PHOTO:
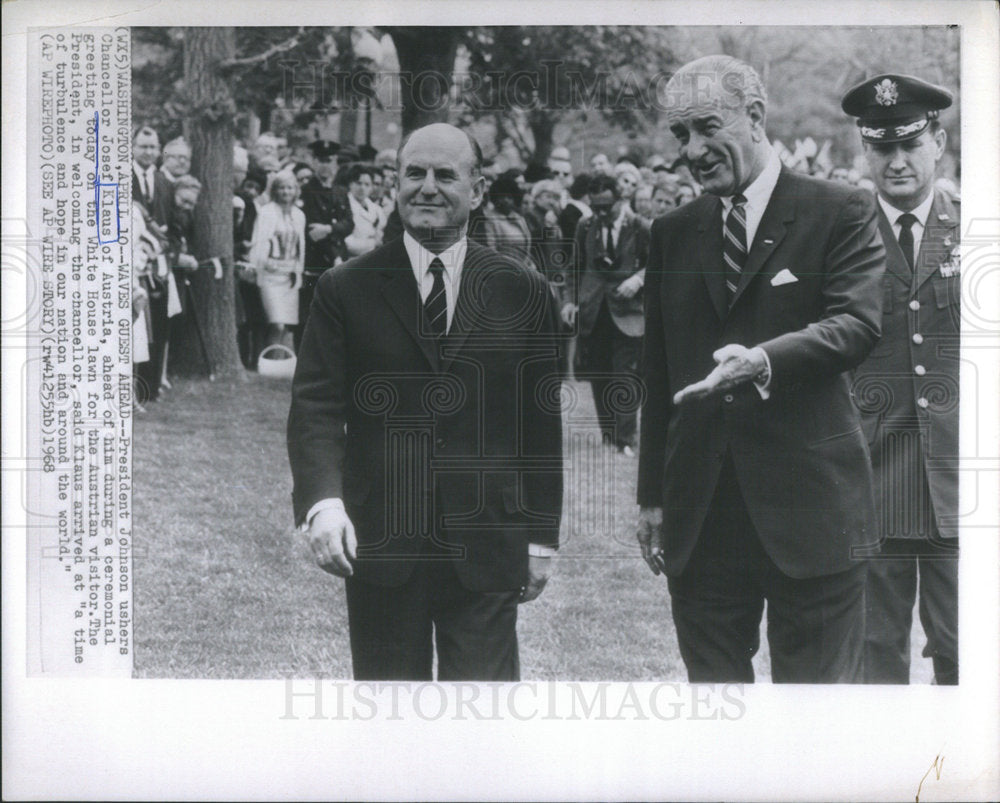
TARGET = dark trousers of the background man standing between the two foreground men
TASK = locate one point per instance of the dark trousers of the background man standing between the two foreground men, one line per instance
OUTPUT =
(611, 363)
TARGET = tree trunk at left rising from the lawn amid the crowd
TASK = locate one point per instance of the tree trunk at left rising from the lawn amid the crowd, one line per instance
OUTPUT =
(211, 126)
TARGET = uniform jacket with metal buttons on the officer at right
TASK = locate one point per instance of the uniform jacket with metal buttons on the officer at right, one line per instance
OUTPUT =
(907, 391)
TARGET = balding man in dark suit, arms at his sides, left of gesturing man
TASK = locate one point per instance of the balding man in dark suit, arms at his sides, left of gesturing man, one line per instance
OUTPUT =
(425, 432)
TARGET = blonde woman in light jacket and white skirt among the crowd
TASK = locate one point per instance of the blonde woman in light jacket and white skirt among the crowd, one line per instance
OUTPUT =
(277, 256)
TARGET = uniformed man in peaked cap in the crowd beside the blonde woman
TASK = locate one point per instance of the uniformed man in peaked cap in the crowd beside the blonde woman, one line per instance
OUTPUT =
(328, 222)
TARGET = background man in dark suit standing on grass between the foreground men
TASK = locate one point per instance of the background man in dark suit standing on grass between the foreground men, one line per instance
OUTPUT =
(603, 298)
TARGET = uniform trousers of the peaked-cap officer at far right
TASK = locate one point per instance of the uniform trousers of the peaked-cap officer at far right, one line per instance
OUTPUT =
(890, 594)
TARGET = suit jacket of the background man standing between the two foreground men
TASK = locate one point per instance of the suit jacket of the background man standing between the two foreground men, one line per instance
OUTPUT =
(592, 282)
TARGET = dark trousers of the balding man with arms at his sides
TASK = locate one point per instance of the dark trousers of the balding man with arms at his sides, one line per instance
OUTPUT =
(394, 629)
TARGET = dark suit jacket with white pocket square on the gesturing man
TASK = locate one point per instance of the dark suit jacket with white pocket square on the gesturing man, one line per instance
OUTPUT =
(800, 456)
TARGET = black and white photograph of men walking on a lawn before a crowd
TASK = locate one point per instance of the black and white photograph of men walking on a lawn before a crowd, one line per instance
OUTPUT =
(773, 381)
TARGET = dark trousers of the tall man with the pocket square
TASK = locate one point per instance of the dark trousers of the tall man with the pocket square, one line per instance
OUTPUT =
(815, 626)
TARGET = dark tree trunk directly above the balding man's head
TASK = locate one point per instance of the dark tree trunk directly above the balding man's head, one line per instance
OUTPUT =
(426, 62)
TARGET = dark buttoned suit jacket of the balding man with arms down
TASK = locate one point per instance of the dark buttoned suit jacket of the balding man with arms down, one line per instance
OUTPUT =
(458, 438)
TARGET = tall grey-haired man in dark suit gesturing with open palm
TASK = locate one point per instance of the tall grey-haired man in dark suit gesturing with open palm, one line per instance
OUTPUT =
(754, 476)
